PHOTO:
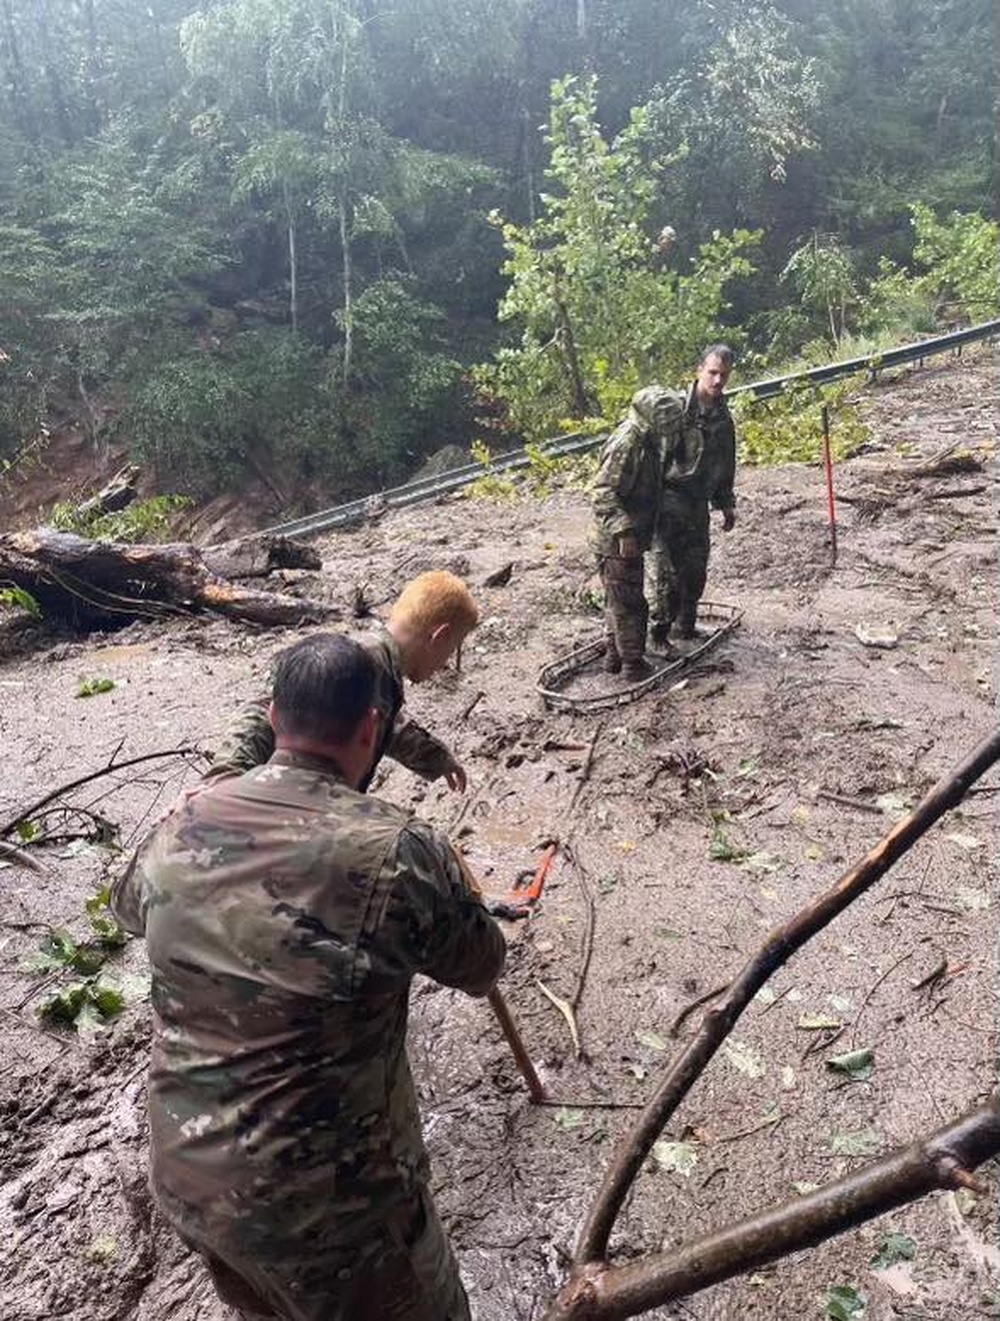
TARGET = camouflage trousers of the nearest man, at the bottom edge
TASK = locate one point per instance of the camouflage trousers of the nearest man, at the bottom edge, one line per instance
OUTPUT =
(406, 1273)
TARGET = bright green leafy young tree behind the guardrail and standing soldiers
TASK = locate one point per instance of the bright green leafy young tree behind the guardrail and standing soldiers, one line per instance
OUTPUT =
(596, 318)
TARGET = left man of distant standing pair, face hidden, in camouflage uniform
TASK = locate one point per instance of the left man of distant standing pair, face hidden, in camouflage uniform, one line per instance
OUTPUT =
(628, 495)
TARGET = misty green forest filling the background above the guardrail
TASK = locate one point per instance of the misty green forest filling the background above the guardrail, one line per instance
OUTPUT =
(326, 238)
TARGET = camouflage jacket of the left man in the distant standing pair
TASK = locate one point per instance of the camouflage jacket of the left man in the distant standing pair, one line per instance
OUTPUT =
(631, 474)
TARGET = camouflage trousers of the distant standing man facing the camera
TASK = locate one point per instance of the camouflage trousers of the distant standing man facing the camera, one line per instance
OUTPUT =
(677, 566)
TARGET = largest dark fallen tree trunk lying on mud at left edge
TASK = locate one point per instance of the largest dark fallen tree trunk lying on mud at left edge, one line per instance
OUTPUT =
(96, 583)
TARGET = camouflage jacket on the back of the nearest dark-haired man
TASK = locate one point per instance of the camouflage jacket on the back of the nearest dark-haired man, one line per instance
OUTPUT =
(285, 917)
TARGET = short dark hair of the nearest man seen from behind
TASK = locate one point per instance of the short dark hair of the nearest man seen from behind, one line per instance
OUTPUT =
(323, 688)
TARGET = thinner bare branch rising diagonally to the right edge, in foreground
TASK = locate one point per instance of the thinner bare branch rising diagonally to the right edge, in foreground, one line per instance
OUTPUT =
(773, 954)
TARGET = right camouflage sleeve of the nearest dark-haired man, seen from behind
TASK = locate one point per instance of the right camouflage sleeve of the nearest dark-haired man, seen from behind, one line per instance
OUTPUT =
(441, 928)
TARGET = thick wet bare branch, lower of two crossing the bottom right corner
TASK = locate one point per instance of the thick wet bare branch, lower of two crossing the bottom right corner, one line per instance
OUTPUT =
(599, 1293)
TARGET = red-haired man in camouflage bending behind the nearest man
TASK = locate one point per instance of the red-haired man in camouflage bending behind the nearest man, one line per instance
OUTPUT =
(429, 623)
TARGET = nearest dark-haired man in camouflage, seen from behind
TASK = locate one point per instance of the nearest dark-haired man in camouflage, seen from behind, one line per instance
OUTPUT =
(286, 915)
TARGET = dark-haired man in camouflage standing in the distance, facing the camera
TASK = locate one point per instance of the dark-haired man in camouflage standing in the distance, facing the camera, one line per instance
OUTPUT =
(699, 474)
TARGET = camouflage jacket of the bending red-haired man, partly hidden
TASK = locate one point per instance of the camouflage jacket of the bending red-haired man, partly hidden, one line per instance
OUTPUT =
(250, 740)
